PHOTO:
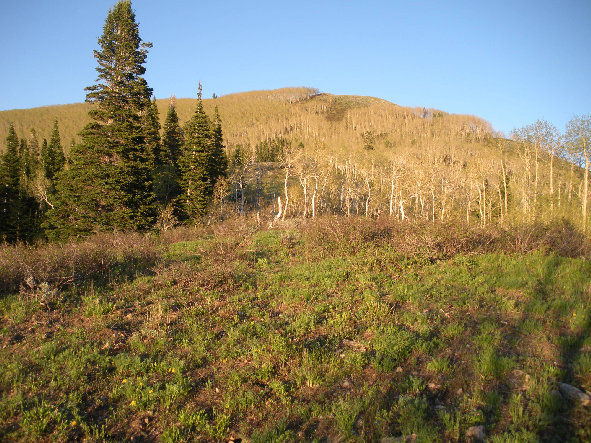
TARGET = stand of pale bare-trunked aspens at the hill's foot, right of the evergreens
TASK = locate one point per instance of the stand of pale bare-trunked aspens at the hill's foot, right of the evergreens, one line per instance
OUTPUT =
(538, 174)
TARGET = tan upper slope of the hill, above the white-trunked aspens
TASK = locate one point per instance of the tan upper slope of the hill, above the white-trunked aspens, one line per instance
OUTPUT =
(299, 114)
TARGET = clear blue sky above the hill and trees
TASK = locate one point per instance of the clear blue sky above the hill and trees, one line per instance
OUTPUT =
(509, 61)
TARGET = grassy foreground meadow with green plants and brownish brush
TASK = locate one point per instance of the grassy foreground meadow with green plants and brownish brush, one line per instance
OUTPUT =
(338, 329)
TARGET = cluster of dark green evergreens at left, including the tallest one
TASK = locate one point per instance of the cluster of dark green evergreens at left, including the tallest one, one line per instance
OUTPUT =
(123, 175)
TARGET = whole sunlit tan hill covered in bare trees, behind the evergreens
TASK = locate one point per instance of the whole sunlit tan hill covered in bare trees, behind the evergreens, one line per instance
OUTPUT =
(363, 155)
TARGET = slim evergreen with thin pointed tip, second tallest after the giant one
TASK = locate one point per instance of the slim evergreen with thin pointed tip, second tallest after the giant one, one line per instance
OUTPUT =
(195, 162)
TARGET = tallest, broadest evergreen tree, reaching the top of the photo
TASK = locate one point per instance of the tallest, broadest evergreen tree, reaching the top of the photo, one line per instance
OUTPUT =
(109, 184)
